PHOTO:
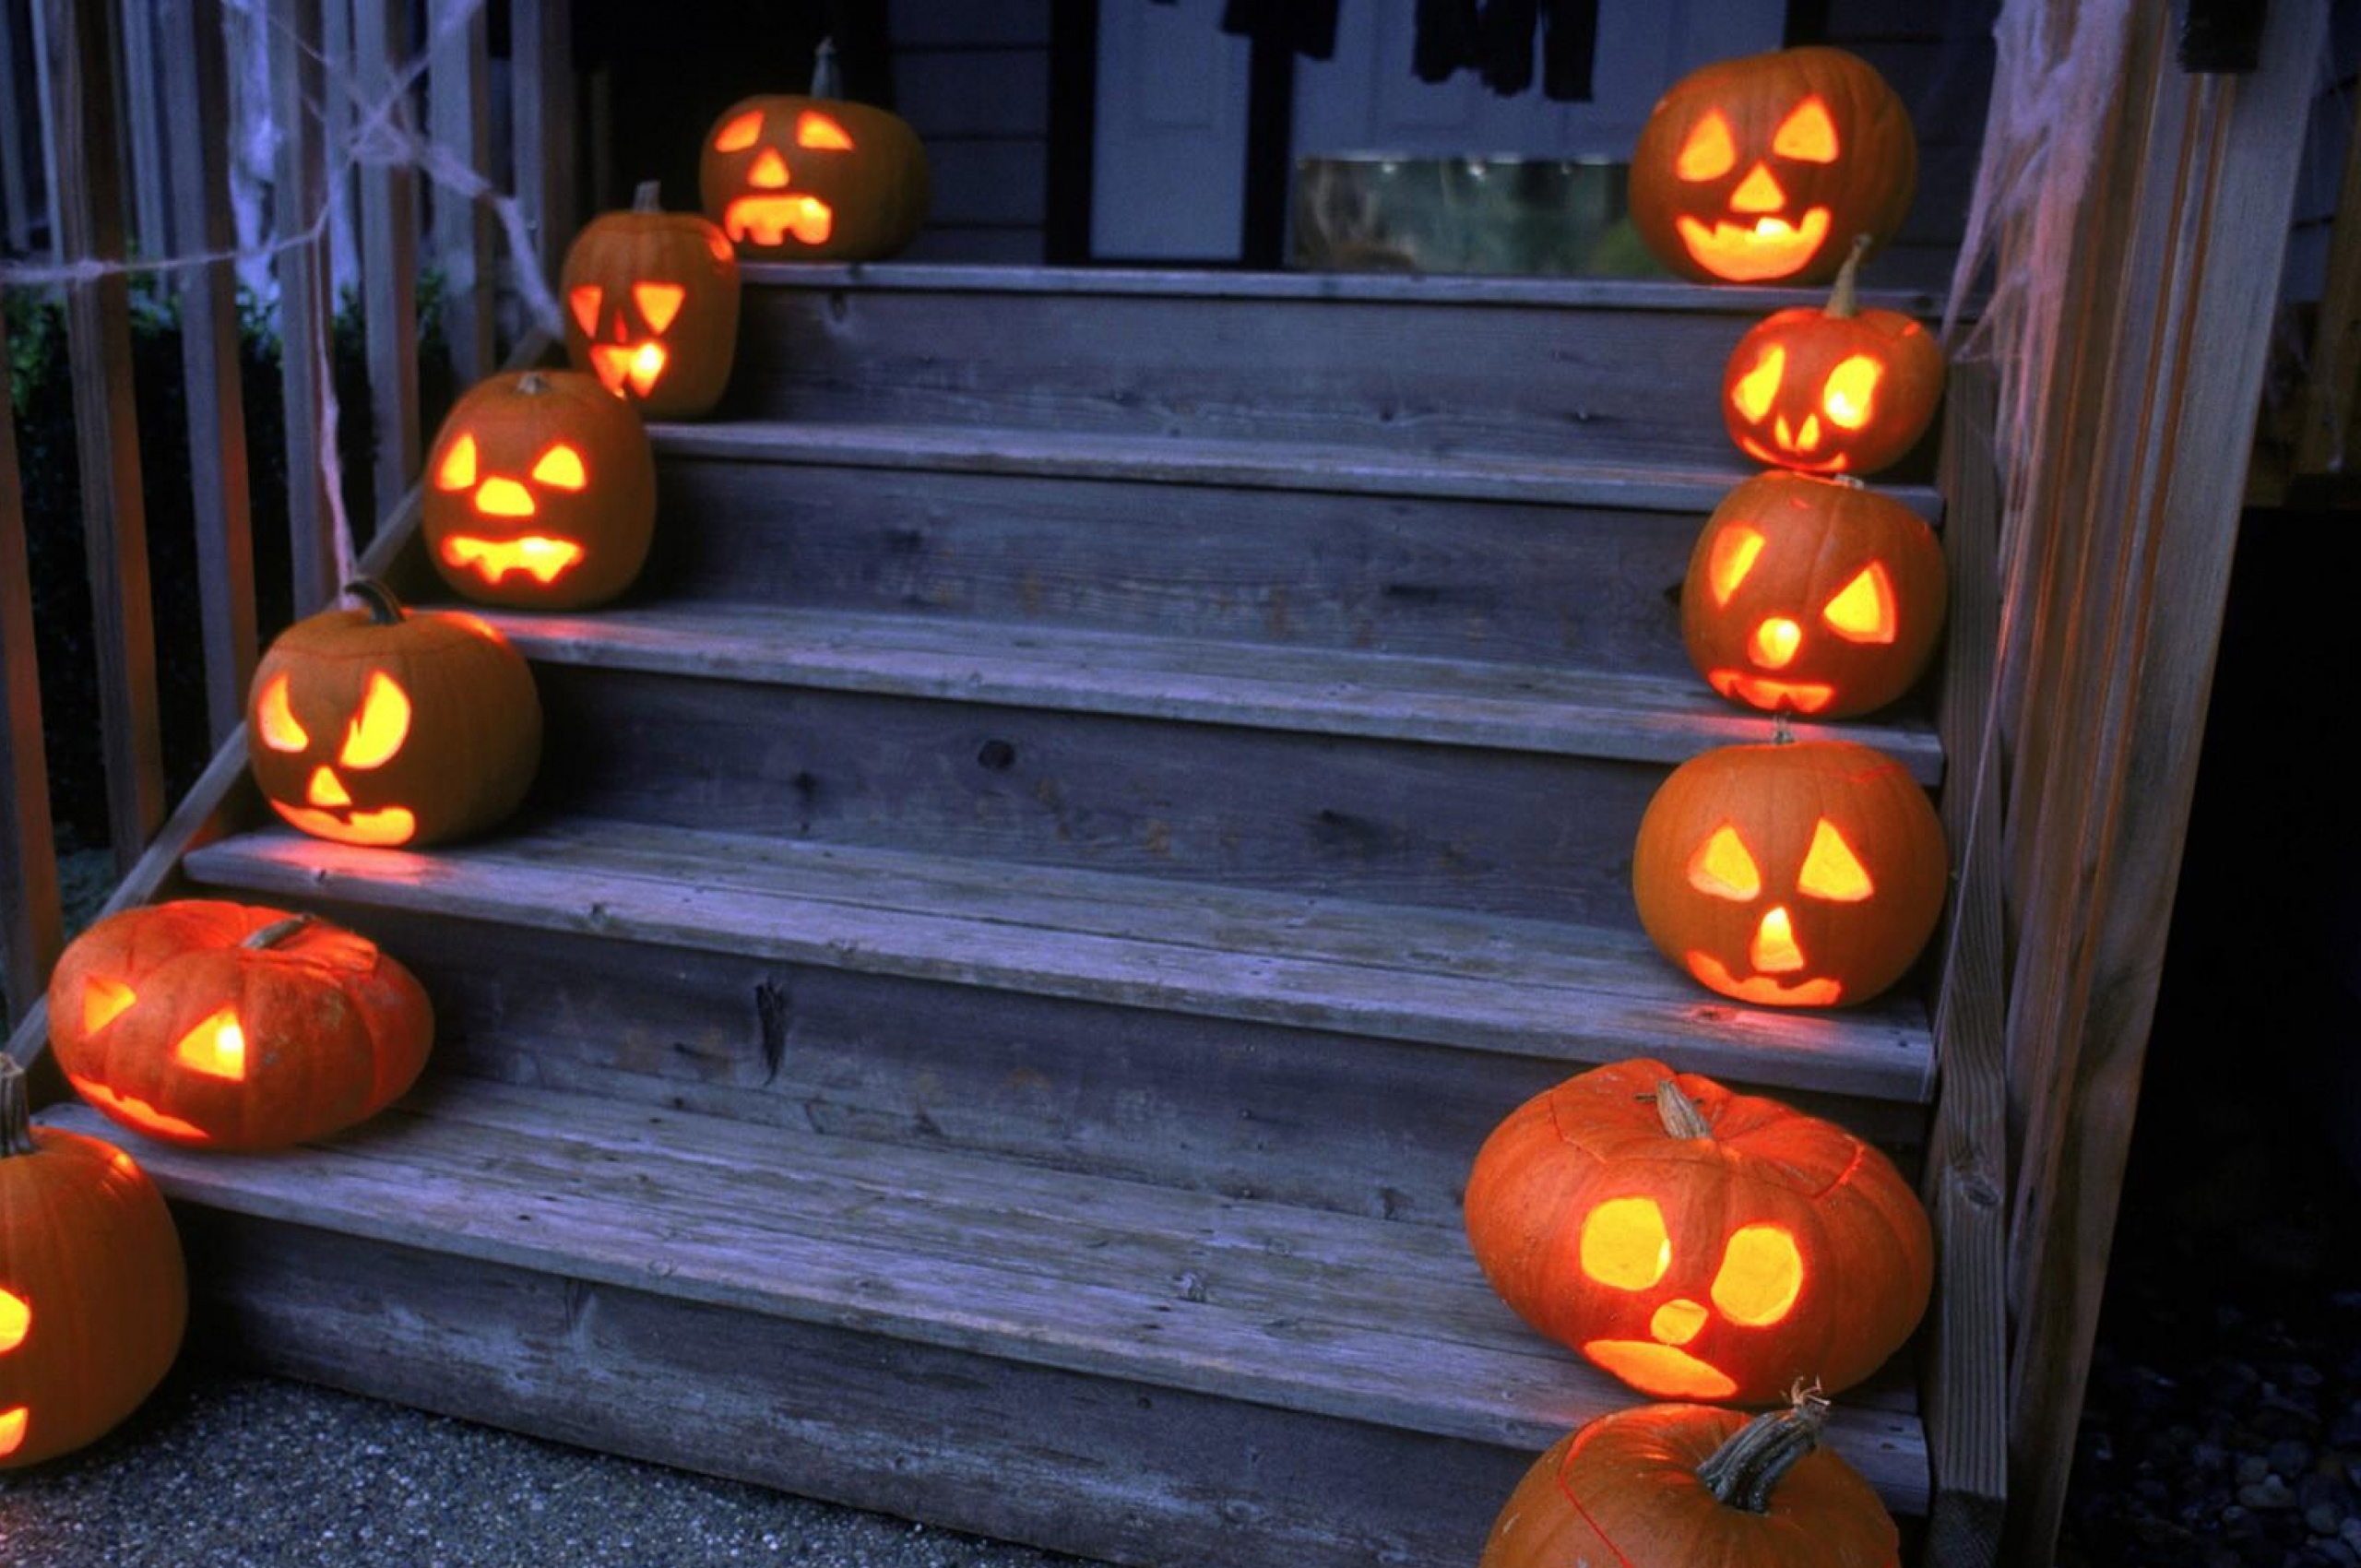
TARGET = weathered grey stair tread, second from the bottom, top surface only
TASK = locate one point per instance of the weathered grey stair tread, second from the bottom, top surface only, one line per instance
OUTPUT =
(1555, 993)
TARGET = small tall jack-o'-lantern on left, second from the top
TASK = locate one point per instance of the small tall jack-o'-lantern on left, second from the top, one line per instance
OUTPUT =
(653, 308)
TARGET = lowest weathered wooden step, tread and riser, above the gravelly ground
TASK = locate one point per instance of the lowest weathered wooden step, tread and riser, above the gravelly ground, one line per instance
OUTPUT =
(1087, 1364)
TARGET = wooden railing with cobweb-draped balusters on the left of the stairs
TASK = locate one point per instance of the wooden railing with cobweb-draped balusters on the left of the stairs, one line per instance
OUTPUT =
(362, 98)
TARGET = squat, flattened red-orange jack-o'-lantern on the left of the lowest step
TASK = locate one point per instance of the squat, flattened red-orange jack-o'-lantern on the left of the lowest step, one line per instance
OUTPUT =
(230, 1026)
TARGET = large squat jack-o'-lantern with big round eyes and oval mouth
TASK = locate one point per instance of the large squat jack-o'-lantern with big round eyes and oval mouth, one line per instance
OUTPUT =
(1699, 1243)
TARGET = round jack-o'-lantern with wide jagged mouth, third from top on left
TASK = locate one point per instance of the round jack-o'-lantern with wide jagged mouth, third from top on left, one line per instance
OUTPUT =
(542, 492)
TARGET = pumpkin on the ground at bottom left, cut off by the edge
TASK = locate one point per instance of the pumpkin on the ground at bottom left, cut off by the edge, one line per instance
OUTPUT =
(93, 1291)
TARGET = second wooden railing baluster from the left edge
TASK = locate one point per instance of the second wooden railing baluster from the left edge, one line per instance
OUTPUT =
(86, 200)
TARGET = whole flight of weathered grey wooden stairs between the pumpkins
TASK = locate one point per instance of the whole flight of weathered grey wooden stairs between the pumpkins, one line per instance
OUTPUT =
(1106, 795)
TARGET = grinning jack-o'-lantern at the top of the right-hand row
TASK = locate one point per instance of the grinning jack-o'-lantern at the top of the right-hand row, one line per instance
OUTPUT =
(1765, 169)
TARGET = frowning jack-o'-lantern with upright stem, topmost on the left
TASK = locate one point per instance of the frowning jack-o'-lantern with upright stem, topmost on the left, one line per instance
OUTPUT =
(816, 178)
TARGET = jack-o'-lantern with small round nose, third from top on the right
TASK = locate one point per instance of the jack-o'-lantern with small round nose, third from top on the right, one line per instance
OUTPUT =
(1812, 596)
